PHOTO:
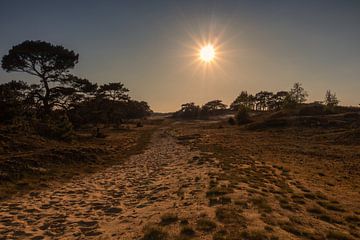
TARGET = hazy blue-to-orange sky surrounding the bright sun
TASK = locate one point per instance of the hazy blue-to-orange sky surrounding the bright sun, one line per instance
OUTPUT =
(151, 46)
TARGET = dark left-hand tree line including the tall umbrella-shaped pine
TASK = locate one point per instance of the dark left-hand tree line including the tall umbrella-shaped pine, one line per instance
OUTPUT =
(60, 93)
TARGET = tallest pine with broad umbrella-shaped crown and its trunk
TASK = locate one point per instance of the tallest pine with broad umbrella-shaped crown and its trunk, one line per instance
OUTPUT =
(48, 62)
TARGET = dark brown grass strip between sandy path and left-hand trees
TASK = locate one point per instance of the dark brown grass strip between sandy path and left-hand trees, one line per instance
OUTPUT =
(40, 161)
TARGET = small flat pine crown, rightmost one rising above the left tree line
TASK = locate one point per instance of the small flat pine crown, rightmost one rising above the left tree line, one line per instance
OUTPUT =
(113, 91)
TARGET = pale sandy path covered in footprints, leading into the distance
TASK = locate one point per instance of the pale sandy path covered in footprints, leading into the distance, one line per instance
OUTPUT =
(115, 203)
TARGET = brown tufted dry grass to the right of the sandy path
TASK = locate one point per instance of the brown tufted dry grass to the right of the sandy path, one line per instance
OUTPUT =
(280, 180)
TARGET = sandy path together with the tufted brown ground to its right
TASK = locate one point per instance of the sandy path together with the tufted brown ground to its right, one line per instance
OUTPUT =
(200, 181)
